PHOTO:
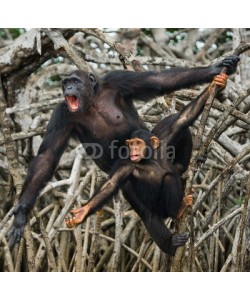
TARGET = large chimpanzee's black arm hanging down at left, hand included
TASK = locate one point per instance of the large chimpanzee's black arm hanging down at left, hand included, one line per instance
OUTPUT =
(41, 169)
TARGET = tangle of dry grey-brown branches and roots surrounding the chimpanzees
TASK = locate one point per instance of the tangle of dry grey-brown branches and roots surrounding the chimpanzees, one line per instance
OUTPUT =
(114, 239)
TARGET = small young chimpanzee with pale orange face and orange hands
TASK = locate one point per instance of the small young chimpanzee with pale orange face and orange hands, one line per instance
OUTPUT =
(149, 181)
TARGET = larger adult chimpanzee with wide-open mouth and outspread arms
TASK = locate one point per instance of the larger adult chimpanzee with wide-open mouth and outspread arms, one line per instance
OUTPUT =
(101, 111)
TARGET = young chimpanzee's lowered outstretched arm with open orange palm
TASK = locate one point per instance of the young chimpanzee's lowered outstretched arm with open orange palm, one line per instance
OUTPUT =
(109, 188)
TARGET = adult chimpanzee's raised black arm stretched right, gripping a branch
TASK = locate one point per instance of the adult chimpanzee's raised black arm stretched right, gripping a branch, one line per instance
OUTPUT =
(146, 85)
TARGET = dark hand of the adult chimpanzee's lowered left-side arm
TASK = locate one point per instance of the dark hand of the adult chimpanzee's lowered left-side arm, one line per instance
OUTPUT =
(21, 216)
